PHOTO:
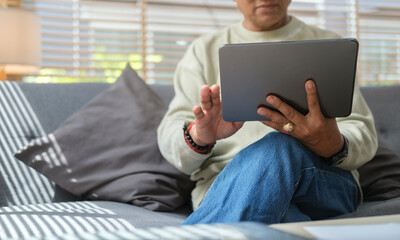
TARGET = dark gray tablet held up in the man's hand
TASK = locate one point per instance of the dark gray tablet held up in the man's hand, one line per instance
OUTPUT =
(251, 71)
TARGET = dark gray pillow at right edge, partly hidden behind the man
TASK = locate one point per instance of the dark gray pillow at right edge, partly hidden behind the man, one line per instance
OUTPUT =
(380, 177)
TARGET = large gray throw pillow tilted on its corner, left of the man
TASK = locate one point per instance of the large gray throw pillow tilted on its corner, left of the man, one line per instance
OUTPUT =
(108, 150)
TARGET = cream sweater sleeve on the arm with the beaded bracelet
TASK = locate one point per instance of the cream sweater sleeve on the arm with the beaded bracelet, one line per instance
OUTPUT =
(188, 80)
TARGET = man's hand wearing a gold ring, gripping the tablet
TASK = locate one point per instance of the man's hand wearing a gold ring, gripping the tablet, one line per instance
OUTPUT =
(320, 134)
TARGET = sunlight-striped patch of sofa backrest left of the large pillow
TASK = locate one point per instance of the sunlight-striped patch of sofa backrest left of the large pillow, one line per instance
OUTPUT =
(20, 185)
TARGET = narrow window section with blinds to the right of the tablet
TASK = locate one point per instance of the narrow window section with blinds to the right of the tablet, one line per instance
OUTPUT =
(379, 34)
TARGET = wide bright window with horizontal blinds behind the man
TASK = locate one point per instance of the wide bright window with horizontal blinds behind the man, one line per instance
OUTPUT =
(89, 40)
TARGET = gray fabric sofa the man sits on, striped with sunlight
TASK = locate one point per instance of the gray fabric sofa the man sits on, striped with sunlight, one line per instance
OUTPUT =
(65, 213)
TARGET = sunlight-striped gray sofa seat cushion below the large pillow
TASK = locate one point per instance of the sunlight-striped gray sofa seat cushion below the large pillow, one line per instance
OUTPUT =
(57, 219)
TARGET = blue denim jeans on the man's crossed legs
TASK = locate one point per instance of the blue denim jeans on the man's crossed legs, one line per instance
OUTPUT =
(277, 179)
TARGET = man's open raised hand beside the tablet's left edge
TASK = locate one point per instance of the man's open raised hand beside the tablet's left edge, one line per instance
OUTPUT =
(209, 125)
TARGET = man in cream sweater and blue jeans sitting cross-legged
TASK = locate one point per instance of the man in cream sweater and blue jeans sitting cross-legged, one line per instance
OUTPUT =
(292, 168)
